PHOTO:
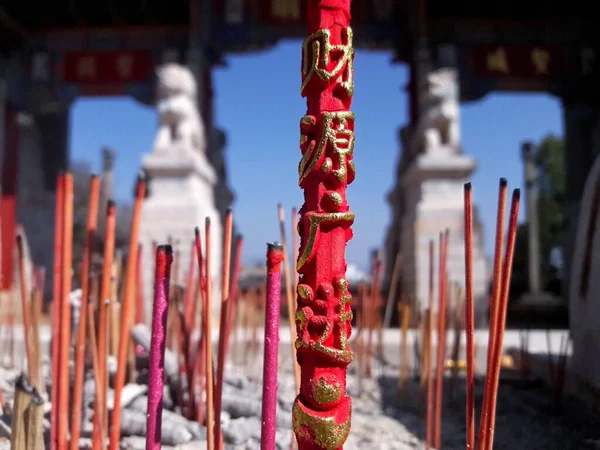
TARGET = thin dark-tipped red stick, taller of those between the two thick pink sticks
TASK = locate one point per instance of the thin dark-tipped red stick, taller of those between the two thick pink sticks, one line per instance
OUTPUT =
(225, 274)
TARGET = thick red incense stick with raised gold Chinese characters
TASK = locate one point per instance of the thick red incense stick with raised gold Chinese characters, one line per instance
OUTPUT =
(322, 410)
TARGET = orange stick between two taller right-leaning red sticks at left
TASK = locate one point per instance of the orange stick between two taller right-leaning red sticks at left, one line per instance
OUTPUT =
(103, 301)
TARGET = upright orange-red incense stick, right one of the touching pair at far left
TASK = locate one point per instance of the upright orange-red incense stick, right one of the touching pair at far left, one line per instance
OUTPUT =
(65, 314)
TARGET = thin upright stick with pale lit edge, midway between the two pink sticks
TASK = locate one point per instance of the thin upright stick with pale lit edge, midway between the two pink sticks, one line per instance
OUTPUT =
(208, 343)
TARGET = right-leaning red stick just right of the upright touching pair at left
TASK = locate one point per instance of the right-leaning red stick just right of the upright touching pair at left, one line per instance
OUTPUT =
(88, 244)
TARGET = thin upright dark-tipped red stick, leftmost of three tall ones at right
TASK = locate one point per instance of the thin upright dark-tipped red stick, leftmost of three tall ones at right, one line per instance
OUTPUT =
(469, 318)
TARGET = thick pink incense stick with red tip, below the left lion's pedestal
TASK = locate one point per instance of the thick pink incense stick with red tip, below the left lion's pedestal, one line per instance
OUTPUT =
(164, 258)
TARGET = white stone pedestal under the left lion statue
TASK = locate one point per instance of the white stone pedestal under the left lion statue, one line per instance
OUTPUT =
(180, 198)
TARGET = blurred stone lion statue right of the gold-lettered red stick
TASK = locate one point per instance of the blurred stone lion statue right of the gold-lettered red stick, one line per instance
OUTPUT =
(438, 127)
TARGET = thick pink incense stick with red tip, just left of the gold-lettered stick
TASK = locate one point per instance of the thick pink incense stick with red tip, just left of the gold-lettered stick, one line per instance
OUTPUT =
(269, 404)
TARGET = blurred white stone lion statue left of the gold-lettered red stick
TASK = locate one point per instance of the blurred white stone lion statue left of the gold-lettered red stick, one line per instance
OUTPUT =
(179, 124)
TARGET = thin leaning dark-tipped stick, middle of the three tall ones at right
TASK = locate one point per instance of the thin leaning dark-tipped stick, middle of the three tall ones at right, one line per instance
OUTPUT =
(495, 301)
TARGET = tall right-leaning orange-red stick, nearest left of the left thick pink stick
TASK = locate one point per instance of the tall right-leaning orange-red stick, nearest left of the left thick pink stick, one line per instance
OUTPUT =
(127, 311)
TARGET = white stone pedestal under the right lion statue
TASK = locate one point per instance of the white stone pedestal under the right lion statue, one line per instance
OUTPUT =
(434, 187)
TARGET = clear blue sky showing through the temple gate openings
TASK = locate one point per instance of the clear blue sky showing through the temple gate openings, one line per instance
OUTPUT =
(258, 103)
